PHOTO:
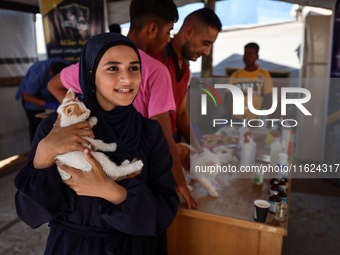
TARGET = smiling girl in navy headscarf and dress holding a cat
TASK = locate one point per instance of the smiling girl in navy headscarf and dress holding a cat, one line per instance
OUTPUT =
(89, 213)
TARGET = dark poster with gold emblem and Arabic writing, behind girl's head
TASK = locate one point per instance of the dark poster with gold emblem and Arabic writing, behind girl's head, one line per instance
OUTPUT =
(68, 24)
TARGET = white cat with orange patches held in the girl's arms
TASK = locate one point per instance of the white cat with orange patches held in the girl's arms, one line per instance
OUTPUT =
(73, 111)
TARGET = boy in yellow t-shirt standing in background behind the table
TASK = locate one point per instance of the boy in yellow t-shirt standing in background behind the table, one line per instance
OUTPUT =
(251, 76)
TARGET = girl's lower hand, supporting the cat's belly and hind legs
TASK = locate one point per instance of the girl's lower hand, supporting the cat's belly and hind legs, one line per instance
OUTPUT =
(94, 183)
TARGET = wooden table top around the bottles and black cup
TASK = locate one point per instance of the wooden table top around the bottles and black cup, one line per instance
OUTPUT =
(237, 193)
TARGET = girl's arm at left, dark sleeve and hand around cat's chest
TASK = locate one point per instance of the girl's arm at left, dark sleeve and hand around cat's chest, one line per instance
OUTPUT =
(39, 185)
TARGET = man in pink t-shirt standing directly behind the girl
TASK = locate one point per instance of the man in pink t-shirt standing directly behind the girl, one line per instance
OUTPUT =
(150, 31)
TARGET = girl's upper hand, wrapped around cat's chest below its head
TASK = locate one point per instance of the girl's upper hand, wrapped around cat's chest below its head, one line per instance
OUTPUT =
(61, 140)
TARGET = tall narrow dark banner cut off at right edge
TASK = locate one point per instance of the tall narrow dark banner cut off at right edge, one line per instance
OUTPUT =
(332, 130)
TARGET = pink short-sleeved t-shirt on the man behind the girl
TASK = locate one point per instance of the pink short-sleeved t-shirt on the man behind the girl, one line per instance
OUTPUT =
(155, 94)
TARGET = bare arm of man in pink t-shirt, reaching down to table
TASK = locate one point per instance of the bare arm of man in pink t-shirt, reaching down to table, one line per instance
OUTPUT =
(164, 120)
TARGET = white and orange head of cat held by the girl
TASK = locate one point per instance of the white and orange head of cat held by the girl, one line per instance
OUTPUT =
(72, 110)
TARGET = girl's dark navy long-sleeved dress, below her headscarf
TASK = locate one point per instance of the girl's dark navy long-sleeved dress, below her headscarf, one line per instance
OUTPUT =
(91, 225)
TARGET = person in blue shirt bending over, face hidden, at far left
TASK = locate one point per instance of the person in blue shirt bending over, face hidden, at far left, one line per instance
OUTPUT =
(34, 93)
